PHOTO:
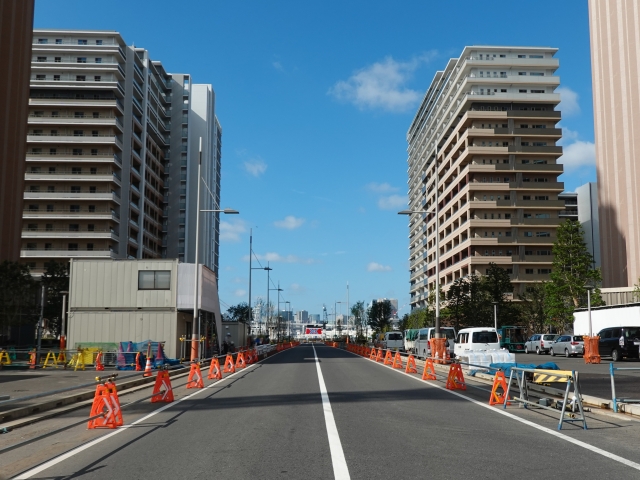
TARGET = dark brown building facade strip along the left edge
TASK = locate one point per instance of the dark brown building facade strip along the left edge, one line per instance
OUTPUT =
(16, 27)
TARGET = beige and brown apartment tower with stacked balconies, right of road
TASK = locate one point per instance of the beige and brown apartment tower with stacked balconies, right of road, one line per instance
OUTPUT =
(489, 123)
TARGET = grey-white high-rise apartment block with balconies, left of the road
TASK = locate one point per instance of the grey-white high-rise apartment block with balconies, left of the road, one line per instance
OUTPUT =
(111, 153)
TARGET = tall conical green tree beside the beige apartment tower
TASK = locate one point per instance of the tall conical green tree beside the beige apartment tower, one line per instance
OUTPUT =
(572, 268)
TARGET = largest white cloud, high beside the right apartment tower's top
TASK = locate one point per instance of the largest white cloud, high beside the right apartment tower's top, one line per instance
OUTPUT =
(382, 85)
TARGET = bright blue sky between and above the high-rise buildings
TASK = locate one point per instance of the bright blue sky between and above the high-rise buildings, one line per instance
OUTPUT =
(315, 99)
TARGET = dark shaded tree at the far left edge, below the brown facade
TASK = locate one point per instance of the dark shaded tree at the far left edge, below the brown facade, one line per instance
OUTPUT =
(17, 296)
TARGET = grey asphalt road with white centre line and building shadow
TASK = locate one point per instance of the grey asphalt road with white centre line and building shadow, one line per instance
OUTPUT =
(269, 421)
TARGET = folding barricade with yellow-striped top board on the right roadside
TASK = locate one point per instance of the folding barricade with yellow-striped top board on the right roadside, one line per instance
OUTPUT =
(568, 376)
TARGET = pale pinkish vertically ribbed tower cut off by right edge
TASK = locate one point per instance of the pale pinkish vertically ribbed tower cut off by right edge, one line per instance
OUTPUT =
(615, 60)
